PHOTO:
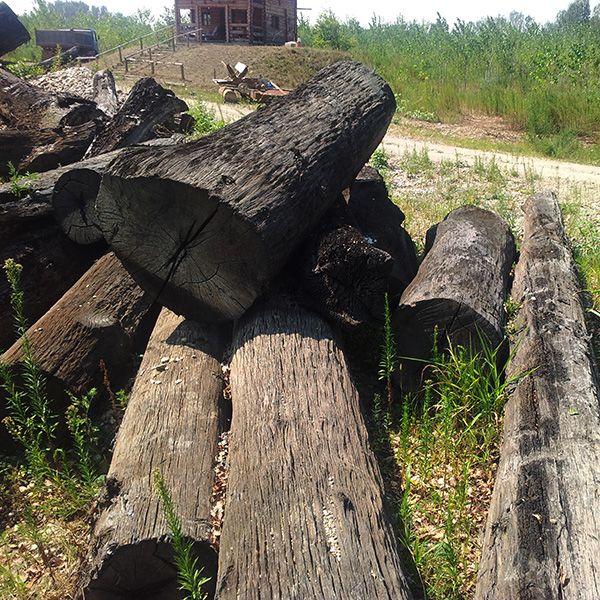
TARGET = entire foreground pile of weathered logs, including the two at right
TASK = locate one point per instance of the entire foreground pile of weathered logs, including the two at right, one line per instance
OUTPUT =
(264, 242)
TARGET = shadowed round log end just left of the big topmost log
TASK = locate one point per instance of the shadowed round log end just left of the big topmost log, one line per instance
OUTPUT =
(73, 201)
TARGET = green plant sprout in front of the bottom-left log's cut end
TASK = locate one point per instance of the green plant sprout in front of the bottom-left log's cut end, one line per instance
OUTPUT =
(190, 577)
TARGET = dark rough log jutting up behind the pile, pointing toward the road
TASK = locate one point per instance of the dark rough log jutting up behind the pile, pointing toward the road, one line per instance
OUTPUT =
(147, 107)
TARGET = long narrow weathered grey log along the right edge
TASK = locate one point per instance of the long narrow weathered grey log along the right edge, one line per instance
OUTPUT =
(542, 539)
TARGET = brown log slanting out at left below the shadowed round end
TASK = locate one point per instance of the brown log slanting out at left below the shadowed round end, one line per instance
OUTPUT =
(96, 319)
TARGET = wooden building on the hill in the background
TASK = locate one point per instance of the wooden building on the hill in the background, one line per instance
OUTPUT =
(245, 21)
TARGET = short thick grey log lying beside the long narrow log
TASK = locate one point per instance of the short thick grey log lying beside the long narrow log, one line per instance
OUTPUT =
(461, 285)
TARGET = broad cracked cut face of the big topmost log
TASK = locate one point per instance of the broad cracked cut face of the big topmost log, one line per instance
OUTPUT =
(196, 280)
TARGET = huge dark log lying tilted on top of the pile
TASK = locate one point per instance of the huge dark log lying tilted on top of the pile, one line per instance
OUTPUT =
(206, 227)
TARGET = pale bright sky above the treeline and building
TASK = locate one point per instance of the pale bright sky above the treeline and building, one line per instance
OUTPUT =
(423, 10)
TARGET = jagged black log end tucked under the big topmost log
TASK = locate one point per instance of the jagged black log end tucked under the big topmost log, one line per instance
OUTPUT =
(341, 275)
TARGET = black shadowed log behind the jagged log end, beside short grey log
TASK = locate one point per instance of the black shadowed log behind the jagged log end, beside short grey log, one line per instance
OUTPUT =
(380, 220)
